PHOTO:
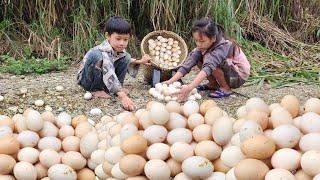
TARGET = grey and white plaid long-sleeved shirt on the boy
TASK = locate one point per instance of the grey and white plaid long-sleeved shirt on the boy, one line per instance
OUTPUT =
(110, 56)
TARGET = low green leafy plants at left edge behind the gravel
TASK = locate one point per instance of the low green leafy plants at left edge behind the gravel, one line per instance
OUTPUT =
(32, 65)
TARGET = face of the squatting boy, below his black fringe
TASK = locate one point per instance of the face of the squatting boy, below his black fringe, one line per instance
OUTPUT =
(118, 42)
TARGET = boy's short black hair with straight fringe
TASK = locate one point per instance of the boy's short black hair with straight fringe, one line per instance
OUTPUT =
(117, 24)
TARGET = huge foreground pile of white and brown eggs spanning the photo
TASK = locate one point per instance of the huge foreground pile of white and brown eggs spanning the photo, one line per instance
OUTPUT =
(167, 141)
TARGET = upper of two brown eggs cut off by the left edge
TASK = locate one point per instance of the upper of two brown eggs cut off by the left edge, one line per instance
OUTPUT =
(9, 145)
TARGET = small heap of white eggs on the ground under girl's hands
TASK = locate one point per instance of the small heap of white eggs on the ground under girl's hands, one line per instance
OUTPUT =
(164, 92)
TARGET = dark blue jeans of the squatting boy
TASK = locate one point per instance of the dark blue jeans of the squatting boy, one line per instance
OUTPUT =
(92, 72)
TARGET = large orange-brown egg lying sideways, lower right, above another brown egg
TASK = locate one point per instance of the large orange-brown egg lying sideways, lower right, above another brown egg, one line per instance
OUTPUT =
(258, 147)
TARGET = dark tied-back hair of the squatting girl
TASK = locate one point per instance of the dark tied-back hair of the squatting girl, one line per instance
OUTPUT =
(208, 27)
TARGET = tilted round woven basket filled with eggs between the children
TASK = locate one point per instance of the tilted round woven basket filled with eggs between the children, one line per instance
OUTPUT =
(167, 49)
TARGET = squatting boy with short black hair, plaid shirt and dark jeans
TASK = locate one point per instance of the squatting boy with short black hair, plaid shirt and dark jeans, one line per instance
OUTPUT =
(105, 66)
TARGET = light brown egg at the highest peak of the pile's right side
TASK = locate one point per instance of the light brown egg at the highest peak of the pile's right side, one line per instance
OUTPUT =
(292, 104)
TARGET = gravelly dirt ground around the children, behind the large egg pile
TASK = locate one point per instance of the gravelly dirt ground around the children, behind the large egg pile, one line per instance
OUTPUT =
(71, 99)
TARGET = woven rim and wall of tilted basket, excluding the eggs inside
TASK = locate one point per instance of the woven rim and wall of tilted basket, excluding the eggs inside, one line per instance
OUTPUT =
(167, 34)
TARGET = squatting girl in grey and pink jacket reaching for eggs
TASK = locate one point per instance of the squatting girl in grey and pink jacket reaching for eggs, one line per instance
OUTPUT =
(221, 61)
